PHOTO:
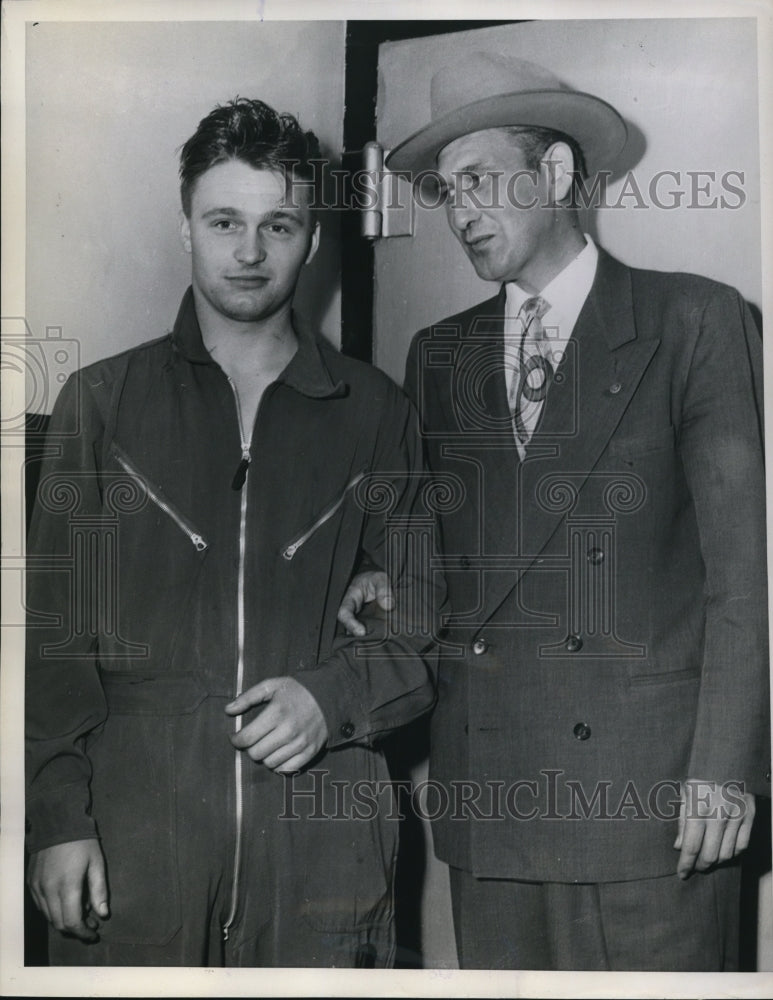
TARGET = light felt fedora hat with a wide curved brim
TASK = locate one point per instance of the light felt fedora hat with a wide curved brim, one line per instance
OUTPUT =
(486, 90)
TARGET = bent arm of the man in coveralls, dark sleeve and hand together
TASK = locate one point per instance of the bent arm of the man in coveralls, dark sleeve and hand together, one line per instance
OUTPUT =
(364, 689)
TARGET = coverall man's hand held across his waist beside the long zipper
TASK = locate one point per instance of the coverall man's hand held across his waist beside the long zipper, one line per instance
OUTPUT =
(290, 730)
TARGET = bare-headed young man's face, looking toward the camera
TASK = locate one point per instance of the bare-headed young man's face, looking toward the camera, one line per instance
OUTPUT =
(247, 239)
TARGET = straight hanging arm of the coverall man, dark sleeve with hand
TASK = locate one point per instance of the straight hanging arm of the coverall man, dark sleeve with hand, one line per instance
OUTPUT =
(64, 698)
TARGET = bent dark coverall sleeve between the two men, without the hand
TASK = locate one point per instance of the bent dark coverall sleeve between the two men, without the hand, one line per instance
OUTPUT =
(369, 686)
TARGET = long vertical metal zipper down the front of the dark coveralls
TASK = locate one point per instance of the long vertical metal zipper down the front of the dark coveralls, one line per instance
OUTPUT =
(239, 483)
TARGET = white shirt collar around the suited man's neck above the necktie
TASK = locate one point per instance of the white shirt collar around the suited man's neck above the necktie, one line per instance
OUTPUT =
(565, 294)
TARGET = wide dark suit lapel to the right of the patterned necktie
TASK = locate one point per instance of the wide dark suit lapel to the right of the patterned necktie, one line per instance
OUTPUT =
(603, 366)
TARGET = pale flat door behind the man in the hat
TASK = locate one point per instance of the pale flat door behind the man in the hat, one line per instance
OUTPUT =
(688, 147)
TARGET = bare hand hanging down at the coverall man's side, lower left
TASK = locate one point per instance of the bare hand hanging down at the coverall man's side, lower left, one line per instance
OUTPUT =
(57, 877)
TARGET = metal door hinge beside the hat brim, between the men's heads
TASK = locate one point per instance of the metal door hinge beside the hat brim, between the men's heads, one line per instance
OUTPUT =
(386, 198)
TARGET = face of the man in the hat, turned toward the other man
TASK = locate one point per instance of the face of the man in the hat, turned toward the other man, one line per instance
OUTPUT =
(505, 242)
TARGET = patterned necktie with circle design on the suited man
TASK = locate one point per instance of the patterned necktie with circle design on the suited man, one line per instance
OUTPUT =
(533, 375)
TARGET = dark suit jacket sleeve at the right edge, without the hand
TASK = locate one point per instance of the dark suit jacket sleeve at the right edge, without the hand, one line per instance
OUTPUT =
(722, 453)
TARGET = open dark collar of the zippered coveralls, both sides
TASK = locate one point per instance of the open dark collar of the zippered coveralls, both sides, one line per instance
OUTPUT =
(306, 371)
